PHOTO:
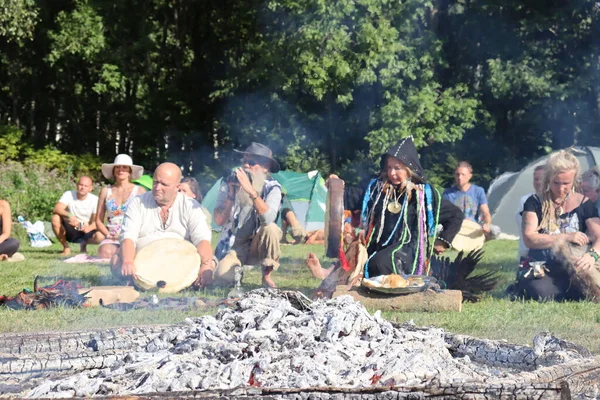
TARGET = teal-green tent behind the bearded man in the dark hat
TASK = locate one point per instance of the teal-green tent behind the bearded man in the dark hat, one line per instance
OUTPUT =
(305, 191)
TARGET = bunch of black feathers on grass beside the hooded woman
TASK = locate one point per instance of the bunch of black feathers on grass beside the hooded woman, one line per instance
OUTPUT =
(456, 274)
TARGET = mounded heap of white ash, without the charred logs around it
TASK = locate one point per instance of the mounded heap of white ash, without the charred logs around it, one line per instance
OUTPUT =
(265, 341)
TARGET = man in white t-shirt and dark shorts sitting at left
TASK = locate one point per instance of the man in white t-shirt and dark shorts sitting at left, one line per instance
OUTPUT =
(73, 217)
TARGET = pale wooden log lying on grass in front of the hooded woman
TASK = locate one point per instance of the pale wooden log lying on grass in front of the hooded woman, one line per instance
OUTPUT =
(430, 301)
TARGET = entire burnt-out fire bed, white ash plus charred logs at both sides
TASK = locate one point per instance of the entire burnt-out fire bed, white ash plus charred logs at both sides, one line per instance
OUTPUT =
(271, 339)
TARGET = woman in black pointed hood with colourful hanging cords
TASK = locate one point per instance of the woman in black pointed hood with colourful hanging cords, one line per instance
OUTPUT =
(400, 211)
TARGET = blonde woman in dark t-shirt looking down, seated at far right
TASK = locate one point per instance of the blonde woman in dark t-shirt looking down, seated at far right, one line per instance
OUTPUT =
(559, 214)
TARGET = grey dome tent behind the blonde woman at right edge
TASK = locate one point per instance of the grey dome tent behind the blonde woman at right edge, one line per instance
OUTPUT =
(505, 191)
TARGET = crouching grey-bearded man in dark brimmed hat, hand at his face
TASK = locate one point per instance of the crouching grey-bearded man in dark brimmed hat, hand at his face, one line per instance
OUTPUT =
(249, 203)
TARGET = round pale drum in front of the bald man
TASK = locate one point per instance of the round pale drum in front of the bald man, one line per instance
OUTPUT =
(169, 265)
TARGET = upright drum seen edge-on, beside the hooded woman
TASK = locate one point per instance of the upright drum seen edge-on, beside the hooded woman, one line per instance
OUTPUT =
(334, 218)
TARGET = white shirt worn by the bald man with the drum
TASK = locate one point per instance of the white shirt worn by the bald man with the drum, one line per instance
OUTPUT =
(143, 225)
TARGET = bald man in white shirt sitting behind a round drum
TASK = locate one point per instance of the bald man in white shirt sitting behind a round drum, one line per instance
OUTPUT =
(164, 213)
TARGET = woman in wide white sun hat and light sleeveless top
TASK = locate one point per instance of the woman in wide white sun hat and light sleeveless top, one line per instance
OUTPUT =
(114, 200)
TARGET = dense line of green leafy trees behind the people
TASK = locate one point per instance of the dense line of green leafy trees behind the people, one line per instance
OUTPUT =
(327, 84)
